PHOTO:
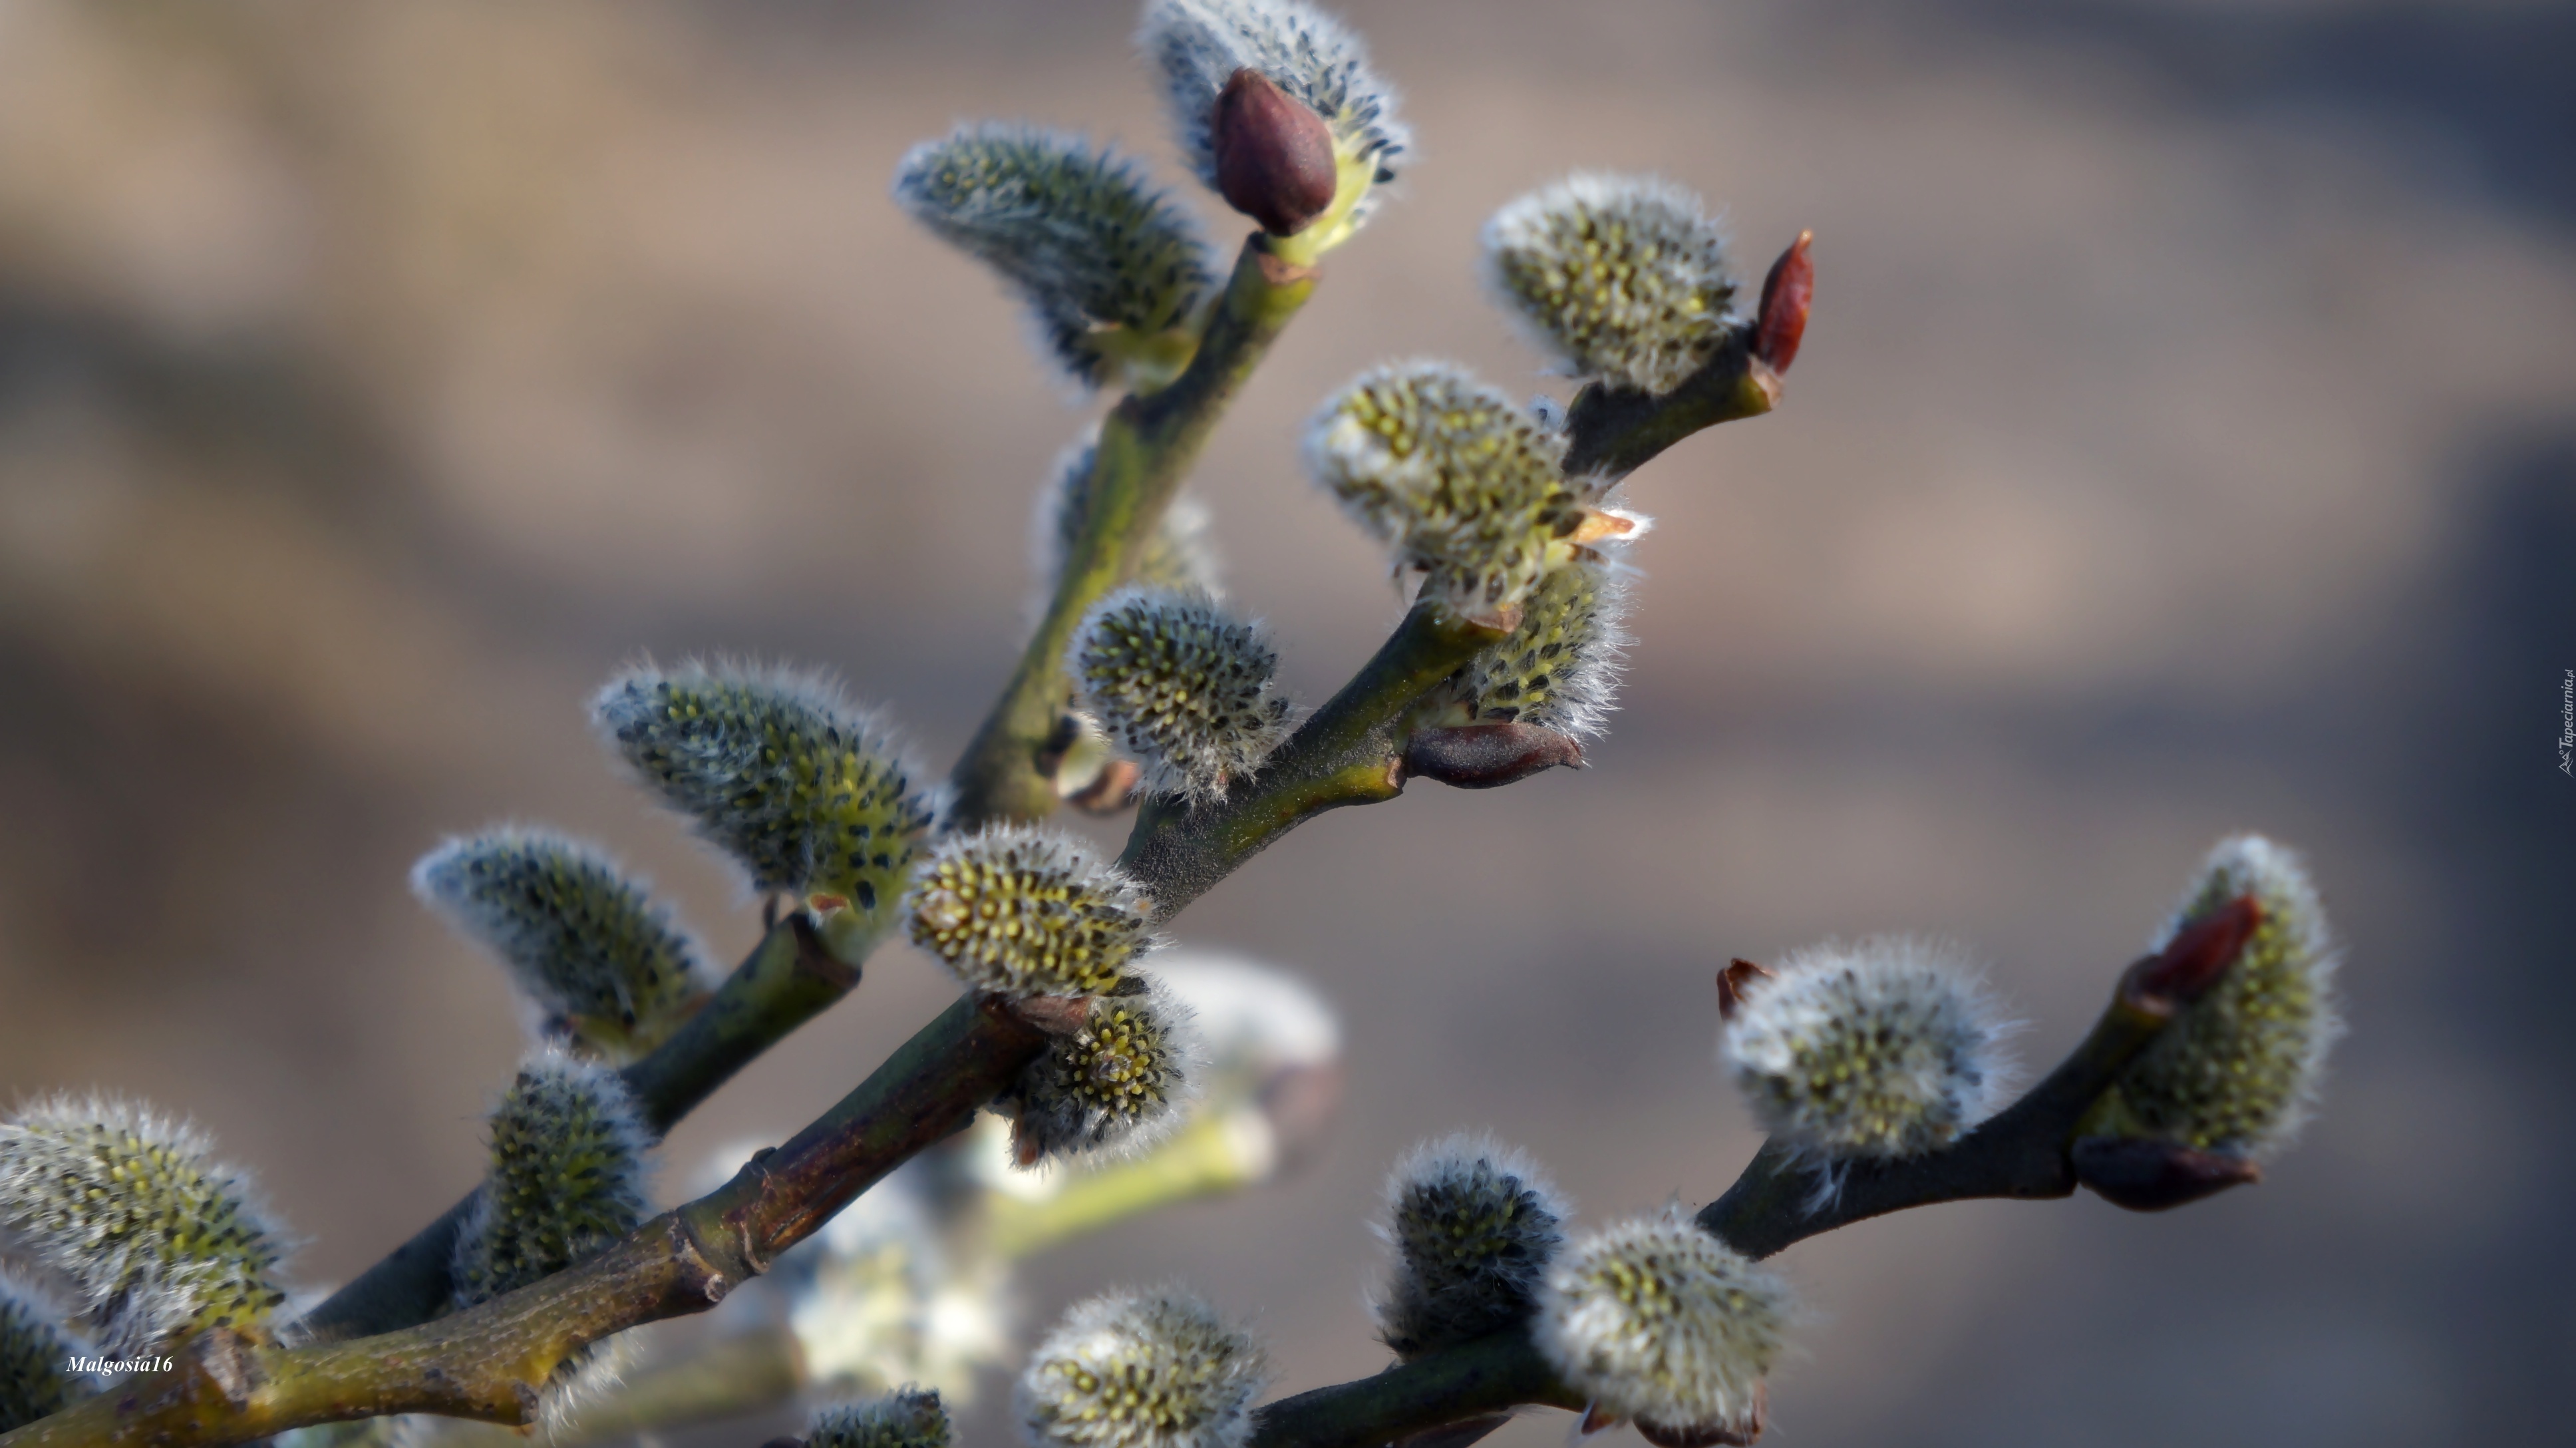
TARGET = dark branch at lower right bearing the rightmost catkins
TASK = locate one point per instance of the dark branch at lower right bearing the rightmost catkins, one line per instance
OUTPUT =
(2023, 1153)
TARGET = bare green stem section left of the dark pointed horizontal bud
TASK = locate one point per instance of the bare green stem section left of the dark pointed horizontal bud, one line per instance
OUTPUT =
(1346, 754)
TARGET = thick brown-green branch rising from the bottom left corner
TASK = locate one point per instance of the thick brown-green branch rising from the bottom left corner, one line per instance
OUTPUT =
(493, 1362)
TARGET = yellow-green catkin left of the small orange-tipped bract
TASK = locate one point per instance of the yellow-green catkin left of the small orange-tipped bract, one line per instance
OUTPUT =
(1457, 478)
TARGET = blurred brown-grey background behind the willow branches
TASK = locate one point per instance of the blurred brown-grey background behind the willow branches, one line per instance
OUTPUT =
(2183, 444)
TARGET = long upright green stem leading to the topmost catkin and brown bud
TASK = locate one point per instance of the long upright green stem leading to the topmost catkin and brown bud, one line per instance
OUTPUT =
(1148, 447)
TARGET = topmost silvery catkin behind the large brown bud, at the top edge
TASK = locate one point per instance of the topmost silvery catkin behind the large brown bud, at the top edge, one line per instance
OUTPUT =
(1199, 45)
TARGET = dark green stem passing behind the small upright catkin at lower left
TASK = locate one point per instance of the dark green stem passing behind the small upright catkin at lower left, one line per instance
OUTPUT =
(784, 983)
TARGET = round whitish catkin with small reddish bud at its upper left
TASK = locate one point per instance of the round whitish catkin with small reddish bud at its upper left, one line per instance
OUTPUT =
(1866, 1053)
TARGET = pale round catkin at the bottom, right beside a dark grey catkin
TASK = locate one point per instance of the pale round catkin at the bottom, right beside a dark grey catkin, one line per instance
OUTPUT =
(1663, 1323)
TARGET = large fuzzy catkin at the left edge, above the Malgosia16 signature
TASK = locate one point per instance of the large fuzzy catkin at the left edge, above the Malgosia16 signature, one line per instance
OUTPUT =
(138, 1217)
